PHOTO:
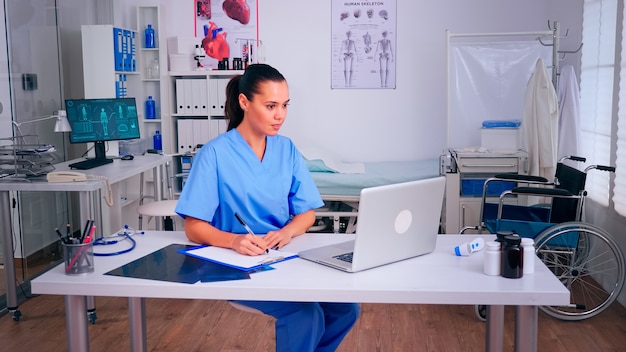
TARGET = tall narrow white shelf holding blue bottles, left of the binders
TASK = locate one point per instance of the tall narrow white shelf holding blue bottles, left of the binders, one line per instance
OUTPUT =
(152, 67)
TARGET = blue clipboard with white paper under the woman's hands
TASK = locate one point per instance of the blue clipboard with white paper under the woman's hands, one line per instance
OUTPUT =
(235, 260)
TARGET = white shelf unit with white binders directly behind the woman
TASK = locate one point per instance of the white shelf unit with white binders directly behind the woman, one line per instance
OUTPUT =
(197, 100)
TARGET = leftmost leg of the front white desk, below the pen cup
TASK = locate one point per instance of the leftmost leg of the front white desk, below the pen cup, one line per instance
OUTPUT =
(76, 324)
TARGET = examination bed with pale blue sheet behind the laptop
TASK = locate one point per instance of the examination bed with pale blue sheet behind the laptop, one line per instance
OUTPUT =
(341, 191)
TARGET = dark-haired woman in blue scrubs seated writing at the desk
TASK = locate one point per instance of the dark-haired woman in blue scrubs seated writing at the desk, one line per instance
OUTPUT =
(260, 175)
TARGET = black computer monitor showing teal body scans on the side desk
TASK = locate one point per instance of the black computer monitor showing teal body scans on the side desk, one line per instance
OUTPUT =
(102, 120)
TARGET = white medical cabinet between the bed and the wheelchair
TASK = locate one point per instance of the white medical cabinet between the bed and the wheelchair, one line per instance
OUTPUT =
(465, 174)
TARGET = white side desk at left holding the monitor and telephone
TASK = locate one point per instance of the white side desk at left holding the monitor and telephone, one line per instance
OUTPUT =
(119, 170)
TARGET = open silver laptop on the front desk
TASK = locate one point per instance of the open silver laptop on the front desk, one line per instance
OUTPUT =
(395, 222)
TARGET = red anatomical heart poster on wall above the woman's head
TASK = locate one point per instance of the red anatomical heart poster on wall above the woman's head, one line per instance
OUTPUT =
(226, 29)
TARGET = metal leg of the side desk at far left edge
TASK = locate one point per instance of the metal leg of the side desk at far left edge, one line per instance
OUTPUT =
(7, 252)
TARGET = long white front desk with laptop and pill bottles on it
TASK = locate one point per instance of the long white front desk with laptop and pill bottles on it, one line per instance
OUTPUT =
(436, 278)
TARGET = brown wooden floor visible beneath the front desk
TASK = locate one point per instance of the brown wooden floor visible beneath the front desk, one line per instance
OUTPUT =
(202, 325)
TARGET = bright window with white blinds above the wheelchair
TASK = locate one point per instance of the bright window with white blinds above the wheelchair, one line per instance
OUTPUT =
(597, 79)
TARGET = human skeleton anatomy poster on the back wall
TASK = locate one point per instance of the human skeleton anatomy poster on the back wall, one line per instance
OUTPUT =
(363, 44)
